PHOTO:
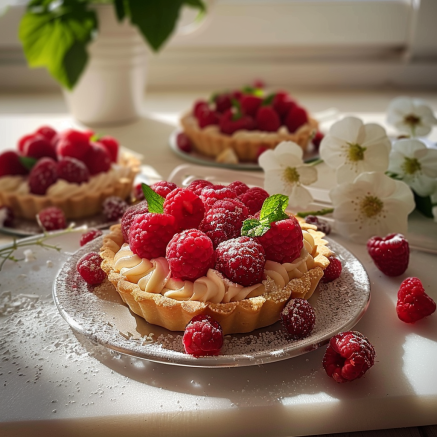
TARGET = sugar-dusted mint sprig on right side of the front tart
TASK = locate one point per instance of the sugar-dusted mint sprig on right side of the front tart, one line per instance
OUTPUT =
(273, 210)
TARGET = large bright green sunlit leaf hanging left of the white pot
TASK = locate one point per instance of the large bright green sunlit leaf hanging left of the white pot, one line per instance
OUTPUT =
(56, 39)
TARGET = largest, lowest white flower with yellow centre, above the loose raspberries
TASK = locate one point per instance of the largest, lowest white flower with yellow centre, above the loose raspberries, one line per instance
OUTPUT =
(374, 204)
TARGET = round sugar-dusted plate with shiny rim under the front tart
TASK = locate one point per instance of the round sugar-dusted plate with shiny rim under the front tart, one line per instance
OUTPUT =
(100, 315)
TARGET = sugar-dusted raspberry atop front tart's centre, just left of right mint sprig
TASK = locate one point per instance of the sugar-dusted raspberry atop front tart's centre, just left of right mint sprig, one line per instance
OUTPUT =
(224, 220)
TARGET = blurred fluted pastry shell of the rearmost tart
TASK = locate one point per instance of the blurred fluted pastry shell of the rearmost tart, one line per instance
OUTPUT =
(246, 144)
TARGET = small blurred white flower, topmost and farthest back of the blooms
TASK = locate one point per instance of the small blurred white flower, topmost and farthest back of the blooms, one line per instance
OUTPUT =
(412, 116)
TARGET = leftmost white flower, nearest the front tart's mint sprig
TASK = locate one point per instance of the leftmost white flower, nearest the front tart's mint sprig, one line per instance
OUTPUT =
(285, 173)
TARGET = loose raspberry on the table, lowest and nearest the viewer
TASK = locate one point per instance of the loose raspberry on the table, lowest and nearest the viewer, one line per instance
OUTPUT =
(349, 356)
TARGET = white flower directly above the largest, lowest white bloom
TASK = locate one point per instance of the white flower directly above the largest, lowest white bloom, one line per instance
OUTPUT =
(352, 147)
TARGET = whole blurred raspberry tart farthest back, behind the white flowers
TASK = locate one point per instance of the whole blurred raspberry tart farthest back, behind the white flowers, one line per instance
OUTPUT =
(237, 126)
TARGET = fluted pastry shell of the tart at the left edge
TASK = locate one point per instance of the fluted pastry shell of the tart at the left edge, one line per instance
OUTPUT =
(76, 206)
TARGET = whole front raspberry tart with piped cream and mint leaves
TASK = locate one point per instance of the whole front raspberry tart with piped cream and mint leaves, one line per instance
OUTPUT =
(230, 279)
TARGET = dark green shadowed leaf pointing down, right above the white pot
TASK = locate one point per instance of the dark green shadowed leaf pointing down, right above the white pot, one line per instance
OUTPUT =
(156, 19)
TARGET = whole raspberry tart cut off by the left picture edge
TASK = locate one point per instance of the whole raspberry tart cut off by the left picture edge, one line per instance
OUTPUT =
(72, 170)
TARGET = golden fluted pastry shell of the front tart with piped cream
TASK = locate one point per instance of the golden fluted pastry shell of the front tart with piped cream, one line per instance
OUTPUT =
(235, 317)
